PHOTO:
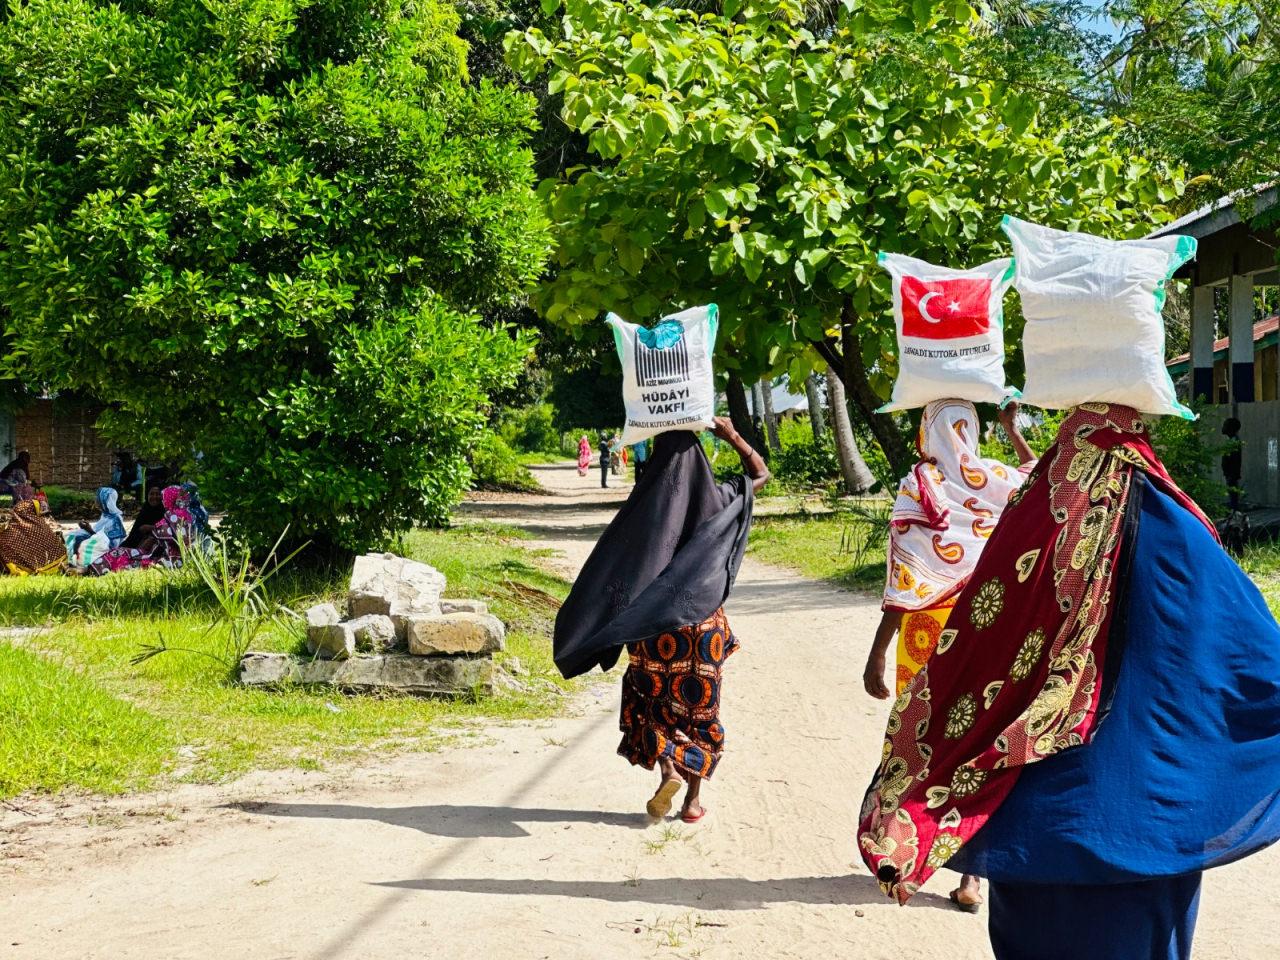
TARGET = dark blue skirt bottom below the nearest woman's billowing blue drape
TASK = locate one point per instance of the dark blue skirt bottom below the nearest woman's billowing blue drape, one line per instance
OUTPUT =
(1150, 921)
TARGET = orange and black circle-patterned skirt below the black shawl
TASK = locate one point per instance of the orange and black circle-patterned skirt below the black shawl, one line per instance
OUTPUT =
(671, 697)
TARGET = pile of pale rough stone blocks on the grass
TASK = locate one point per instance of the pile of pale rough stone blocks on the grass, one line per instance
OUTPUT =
(400, 634)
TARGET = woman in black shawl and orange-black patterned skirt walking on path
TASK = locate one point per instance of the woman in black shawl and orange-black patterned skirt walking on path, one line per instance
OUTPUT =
(656, 584)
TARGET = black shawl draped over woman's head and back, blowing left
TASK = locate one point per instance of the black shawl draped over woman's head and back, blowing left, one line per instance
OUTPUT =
(668, 560)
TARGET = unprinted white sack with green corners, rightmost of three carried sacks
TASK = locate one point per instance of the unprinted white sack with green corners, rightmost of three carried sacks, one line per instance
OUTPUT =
(1094, 318)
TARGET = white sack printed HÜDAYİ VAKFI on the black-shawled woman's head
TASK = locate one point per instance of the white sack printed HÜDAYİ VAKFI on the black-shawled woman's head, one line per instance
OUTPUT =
(668, 378)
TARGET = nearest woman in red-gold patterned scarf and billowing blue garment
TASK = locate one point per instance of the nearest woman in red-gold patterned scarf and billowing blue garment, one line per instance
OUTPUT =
(1101, 721)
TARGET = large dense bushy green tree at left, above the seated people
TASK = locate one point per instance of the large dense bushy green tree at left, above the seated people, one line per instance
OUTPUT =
(262, 232)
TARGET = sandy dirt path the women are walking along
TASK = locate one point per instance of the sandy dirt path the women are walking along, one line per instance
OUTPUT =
(534, 843)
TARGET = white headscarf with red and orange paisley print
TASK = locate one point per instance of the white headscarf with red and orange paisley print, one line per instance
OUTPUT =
(947, 509)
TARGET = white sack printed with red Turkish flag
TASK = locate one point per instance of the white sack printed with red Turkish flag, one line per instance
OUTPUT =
(950, 332)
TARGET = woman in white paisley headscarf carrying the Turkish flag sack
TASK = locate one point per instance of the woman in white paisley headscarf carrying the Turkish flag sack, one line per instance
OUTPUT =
(947, 510)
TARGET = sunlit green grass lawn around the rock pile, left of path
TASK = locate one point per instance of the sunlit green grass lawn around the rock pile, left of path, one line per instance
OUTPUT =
(77, 714)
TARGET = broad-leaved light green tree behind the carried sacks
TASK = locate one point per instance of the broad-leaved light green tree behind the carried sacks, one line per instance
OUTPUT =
(746, 159)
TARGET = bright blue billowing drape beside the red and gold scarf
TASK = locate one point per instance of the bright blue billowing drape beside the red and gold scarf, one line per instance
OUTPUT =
(1183, 774)
